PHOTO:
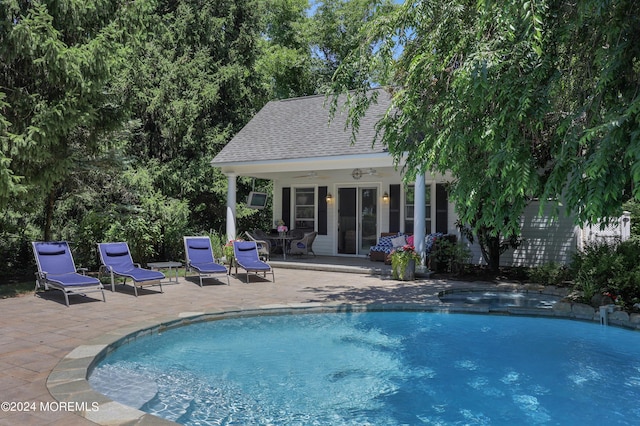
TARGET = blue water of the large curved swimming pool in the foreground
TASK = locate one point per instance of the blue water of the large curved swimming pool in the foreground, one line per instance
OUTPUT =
(384, 368)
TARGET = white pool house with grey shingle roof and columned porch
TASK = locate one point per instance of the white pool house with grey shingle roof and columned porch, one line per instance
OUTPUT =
(348, 192)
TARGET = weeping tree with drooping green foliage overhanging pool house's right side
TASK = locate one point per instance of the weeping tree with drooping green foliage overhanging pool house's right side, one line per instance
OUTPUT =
(483, 91)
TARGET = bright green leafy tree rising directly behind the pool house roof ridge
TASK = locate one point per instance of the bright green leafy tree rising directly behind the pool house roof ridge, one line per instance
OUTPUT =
(304, 43)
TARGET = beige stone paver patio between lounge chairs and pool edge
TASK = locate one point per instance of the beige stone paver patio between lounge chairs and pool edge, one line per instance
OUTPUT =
(39, 335)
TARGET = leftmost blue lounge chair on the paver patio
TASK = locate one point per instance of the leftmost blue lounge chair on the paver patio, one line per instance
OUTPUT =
(57, 270)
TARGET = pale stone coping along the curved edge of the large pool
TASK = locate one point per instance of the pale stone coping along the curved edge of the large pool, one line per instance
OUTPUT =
(68, 381)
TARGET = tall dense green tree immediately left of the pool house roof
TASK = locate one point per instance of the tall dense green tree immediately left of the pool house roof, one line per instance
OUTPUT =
(192, 86)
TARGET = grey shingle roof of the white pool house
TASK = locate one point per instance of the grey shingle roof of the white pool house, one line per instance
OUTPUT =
(300, 128)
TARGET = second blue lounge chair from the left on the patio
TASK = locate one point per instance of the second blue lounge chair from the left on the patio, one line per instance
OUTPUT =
(116, 260)
